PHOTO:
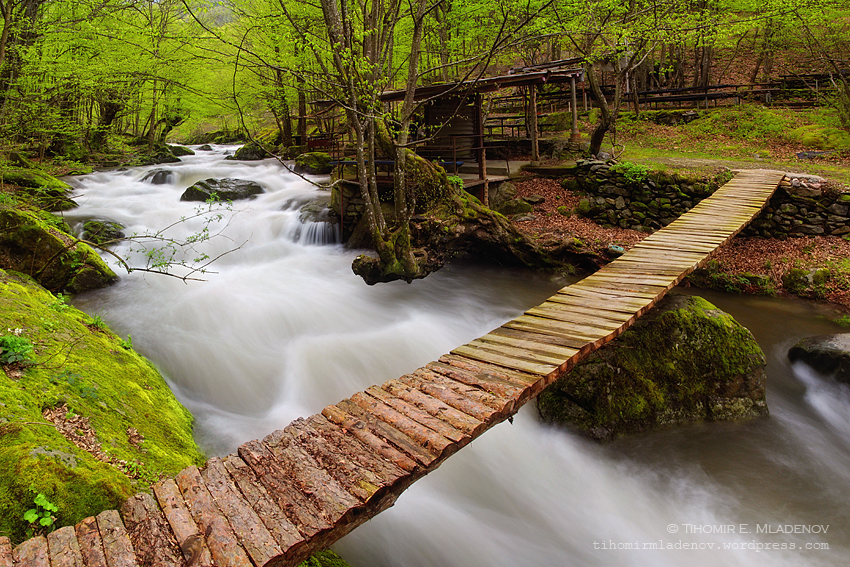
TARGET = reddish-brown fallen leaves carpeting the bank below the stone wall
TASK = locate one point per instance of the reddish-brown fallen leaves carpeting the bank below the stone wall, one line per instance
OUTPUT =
(741, 255)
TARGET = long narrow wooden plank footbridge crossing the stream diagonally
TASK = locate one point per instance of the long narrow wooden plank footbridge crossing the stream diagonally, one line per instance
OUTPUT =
(298, 490)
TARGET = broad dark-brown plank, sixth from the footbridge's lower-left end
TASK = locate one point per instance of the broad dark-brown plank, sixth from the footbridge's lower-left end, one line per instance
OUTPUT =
(149, 533)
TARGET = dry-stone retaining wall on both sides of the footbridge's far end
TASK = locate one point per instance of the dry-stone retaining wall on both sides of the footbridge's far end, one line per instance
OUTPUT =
(628, 197)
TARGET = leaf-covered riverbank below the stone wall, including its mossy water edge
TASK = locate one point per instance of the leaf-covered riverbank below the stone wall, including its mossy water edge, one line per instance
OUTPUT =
(816, 267)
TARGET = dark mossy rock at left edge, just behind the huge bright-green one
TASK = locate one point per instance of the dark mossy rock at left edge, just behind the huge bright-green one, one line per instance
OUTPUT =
(29, 243)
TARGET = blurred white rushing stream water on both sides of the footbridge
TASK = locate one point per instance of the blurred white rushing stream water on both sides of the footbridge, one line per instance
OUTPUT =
(285, 328)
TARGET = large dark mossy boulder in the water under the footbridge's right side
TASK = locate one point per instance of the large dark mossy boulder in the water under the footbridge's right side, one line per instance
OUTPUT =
(683, 361)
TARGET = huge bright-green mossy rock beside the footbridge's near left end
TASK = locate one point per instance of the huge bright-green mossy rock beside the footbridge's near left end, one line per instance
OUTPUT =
(82, 365)
